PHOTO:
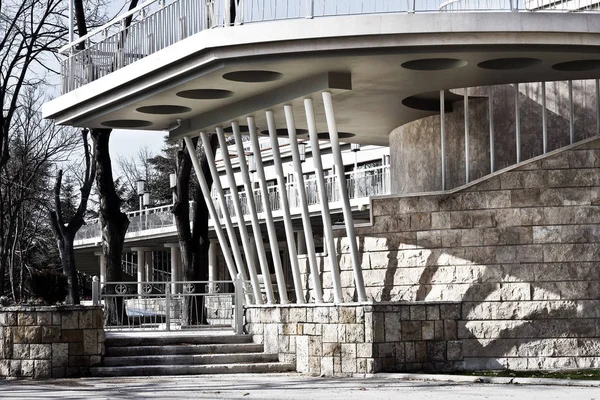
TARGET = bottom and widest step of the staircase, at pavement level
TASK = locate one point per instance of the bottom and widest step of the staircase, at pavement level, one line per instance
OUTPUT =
(153, 370)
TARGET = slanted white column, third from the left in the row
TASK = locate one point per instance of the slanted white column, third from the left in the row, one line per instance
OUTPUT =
(240, 215)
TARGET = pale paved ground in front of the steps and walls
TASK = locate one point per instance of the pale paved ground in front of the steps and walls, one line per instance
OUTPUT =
(282, 386)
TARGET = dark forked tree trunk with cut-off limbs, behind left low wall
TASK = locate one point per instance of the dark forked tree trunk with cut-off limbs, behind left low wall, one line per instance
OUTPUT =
(65, 231)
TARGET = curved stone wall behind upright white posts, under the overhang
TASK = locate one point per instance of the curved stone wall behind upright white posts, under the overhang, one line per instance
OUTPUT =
(415, 148)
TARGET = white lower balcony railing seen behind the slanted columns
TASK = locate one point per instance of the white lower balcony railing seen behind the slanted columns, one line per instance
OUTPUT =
(362, 183)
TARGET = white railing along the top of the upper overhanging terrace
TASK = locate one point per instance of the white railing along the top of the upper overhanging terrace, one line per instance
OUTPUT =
(157, 24)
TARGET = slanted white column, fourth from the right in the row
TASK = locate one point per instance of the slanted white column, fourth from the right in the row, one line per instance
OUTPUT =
(287, 218)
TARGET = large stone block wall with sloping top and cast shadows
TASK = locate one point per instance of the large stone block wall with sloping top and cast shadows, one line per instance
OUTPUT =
(519, 251)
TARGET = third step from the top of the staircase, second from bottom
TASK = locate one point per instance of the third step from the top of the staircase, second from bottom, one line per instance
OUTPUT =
(196, 359)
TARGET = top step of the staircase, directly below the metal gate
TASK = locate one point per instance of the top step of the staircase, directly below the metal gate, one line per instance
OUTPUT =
(129, 340)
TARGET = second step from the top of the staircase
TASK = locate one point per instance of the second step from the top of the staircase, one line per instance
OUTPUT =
(121, 351)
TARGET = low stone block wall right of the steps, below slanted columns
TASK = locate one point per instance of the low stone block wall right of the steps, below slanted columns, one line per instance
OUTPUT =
(353, 339)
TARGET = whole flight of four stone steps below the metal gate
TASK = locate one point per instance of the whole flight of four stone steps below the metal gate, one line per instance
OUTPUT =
(189, 354)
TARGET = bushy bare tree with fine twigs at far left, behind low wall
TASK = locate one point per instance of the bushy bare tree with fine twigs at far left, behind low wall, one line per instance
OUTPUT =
(36, 145)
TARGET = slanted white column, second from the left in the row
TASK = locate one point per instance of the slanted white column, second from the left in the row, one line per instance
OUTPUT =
(235, 248)
